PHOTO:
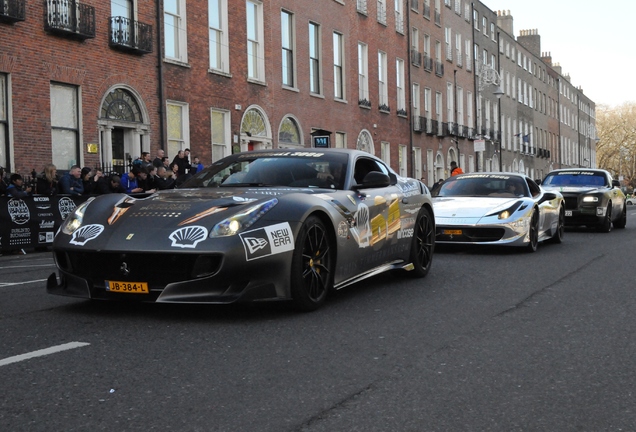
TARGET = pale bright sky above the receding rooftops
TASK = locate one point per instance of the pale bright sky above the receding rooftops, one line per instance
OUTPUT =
(594, 42)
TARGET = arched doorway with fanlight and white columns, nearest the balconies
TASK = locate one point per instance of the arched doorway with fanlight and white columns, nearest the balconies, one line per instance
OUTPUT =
(124, 129)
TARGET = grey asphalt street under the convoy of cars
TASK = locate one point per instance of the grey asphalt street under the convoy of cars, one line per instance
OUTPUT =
(492, 339)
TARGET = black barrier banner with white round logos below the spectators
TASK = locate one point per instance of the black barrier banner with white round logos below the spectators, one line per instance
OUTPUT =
(32, 222)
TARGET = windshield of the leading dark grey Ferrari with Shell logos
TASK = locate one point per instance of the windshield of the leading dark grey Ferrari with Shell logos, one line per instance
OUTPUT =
(290, 169)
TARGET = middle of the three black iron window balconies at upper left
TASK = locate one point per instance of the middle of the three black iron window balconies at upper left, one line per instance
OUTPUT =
(69, 17)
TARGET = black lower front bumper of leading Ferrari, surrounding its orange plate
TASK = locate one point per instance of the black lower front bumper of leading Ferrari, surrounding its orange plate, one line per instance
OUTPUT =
(172, 278)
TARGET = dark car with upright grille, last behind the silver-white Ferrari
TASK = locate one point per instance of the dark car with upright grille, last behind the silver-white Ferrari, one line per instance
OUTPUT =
(592, 197)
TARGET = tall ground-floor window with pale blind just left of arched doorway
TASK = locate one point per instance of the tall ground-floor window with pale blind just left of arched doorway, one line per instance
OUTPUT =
(65, 125)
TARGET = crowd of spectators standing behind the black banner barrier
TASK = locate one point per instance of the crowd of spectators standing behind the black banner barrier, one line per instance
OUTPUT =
(144, 176)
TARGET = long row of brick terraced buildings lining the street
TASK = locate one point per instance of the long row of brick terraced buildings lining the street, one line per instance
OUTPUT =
(96, 83)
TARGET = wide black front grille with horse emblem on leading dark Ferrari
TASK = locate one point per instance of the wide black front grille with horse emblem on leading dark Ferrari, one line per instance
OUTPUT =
(158, 269)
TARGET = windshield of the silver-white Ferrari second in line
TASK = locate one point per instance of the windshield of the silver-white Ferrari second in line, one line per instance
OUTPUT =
(484, 185)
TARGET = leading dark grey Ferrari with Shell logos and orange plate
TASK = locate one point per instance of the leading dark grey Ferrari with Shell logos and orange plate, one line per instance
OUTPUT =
(262, 225)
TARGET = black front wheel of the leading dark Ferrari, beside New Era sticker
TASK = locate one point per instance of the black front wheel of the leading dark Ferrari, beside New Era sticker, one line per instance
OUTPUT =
(312, 265)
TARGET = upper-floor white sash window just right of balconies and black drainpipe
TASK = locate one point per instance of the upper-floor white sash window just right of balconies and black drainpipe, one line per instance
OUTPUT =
(175, 34)
